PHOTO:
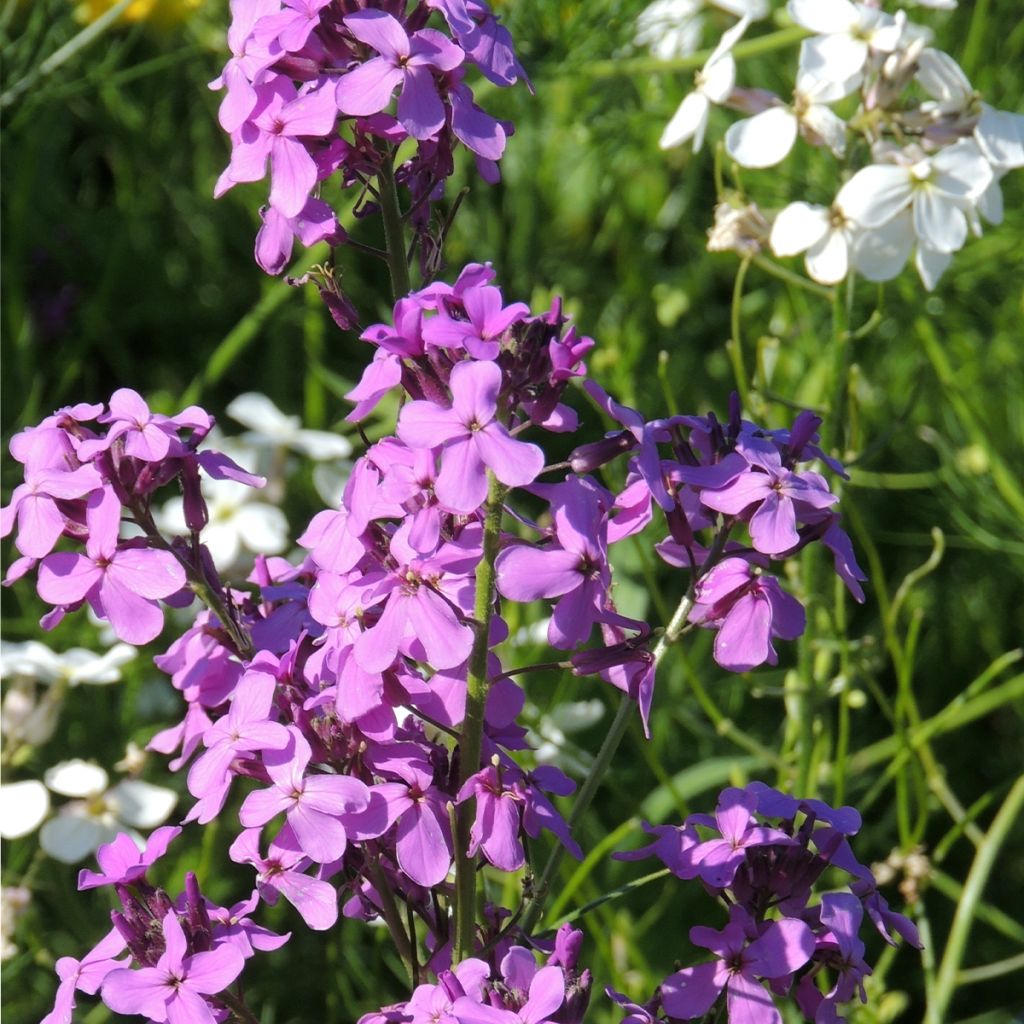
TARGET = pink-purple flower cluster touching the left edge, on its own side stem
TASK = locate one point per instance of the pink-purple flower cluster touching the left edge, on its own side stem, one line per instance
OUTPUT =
(80, 481)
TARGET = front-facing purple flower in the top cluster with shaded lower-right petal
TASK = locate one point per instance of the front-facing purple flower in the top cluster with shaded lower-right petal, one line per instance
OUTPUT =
(405, 61)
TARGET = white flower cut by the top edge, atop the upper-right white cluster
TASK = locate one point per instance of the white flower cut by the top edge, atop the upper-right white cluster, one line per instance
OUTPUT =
(847, 34)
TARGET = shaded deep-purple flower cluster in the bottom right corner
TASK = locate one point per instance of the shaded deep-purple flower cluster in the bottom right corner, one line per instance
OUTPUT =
(762, 855)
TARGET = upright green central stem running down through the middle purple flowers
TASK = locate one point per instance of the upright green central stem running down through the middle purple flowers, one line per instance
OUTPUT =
(478, 686)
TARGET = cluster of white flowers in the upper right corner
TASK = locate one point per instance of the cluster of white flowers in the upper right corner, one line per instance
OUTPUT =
(935, 152)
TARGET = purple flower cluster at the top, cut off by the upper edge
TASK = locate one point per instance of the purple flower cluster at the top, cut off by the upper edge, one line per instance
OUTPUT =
(310, 91)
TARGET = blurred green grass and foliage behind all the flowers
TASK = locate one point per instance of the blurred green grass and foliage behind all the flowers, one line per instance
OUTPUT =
(119, 269)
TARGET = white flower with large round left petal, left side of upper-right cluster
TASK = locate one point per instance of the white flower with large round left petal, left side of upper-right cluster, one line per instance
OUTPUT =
(767, 139)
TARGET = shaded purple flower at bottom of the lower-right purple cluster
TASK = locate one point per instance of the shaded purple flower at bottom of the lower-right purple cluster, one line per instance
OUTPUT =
(782, 949)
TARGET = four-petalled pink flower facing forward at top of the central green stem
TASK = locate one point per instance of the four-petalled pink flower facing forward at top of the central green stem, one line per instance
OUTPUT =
(474, 437)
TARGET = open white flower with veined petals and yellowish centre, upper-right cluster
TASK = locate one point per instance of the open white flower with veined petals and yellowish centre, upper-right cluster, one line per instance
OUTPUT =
(940, 191)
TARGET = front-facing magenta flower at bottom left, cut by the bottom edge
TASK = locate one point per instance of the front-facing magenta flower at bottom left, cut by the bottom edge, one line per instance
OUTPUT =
(175, 990)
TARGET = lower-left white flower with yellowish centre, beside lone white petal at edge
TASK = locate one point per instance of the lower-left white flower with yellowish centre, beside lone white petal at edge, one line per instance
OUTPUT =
(100, 814)
